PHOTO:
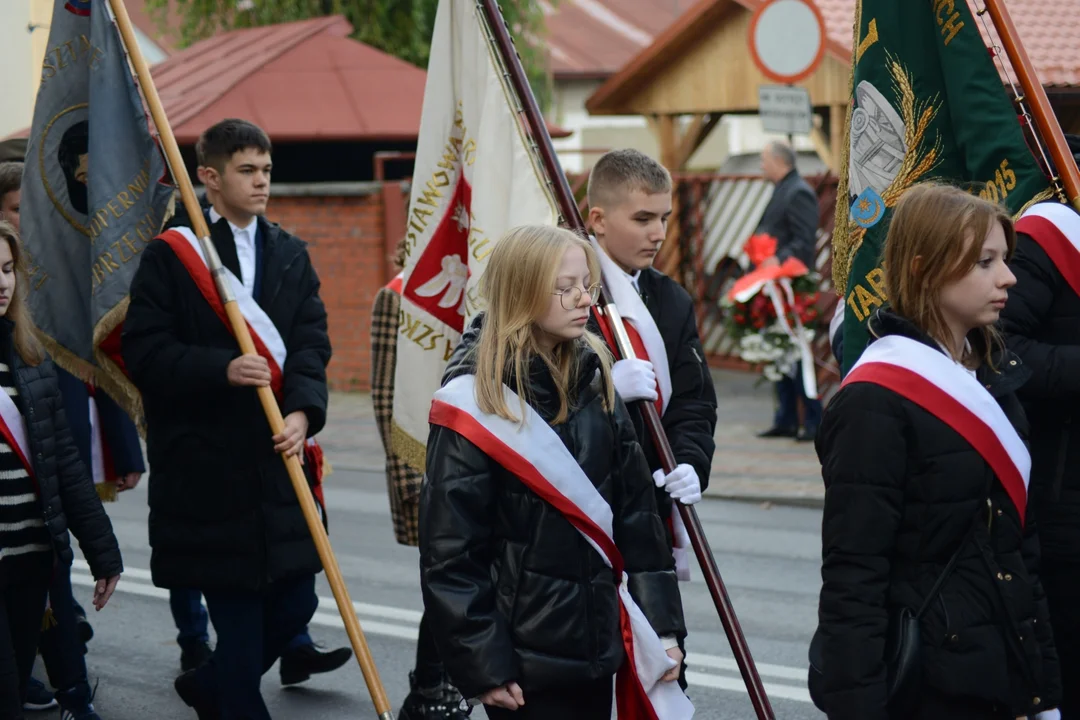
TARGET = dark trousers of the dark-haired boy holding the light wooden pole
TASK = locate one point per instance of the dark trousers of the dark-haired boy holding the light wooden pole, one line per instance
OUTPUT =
(253, 630)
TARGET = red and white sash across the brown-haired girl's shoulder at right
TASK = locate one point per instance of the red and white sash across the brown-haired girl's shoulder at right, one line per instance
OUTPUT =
(935, 383)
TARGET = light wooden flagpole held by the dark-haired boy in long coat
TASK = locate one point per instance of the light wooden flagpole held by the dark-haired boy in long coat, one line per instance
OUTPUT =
(248, 347)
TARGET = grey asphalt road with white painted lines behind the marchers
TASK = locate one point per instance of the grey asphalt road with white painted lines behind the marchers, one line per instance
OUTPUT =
(769, 559)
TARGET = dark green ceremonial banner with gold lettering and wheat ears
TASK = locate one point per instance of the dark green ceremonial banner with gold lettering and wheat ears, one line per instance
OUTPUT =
(928, 103)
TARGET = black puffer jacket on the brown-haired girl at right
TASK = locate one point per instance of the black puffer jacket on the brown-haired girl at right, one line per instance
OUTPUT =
(903, 491)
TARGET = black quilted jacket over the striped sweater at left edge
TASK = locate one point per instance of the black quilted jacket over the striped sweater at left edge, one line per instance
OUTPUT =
(66, 493)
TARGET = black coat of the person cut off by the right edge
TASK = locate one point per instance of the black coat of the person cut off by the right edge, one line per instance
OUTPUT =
(1043, 324)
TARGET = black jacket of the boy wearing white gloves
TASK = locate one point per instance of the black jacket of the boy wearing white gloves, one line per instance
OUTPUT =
(691, 420)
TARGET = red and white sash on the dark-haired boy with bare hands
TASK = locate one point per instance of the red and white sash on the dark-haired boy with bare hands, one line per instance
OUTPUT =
(265, 334)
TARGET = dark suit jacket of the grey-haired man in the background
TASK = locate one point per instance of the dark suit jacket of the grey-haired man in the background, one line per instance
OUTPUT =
(792, 218)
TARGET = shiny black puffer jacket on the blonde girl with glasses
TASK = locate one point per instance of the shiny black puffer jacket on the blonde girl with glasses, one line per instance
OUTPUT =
(515, 593)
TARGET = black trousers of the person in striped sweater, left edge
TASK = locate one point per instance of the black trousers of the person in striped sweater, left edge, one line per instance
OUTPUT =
(22, 607)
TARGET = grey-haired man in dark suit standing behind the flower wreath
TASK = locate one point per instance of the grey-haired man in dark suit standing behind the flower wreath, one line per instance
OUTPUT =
(792, 219)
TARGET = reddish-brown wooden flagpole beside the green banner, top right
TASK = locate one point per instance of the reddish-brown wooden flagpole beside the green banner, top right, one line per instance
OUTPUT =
(1036, 97)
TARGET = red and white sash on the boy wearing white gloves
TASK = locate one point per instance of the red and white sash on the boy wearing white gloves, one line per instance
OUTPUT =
(649, 345)
